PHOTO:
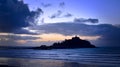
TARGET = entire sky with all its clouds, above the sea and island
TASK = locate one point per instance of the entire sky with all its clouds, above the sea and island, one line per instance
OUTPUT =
(43, 22)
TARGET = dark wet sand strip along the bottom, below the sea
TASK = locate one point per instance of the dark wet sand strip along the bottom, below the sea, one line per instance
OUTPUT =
(17, 62)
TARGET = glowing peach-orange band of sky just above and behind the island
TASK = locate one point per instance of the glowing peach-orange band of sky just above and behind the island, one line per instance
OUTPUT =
(51, 37)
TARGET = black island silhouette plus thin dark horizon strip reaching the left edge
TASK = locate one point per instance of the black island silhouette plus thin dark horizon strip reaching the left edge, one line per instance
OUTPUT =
(74, 42)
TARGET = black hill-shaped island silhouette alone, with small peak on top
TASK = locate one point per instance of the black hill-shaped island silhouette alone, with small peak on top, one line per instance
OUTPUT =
(75, 42)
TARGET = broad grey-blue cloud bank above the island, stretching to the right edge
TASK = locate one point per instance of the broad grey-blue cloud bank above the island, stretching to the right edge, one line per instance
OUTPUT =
(109, 33)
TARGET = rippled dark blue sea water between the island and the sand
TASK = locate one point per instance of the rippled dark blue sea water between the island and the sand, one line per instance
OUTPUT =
(99, 56)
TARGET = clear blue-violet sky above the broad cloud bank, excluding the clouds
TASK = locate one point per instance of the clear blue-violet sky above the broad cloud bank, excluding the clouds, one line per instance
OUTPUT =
(107, 11)
